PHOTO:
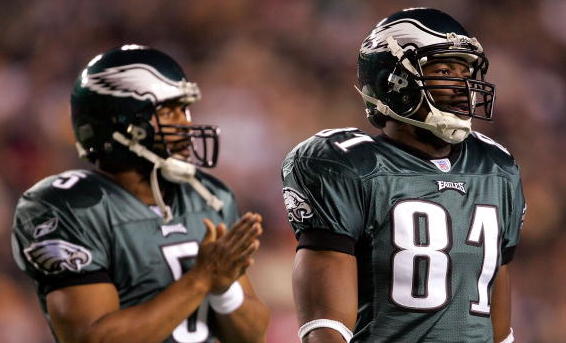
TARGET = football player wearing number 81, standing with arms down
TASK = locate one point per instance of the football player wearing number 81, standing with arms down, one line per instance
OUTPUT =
(406, 236)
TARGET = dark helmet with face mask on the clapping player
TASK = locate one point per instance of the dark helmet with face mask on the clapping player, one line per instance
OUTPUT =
(120, 91)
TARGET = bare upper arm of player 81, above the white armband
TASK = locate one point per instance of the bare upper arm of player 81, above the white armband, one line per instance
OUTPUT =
(325, 286)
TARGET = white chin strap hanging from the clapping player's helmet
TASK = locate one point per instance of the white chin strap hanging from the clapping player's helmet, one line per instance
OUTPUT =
(173, 170)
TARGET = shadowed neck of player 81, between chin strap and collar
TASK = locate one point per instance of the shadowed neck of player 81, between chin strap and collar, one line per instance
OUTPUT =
(416, 138)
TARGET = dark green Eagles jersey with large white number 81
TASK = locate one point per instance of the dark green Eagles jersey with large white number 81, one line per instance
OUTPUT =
(428, 235)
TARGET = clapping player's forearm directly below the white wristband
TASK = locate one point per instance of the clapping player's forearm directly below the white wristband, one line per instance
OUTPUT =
(247, 324)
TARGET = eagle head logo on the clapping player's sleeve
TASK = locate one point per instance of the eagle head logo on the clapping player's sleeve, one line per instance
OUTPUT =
(55, 256)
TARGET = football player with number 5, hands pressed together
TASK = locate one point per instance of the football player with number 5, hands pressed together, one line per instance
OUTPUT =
(138, 250)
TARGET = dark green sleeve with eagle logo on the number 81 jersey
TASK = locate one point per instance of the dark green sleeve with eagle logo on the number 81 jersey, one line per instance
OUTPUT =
(324, 201)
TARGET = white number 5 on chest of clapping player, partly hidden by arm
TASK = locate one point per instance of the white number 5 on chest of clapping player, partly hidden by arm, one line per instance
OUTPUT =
(193, 329)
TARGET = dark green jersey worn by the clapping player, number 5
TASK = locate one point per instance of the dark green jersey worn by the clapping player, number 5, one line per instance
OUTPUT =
(79, 227)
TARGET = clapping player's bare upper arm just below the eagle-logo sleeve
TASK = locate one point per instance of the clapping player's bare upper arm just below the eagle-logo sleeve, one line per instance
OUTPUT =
(75, 310)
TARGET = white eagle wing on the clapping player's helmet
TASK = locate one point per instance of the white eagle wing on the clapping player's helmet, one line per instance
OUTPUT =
(140, 81)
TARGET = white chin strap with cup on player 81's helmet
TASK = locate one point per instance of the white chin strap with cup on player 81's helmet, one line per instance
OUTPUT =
(444, 125)
